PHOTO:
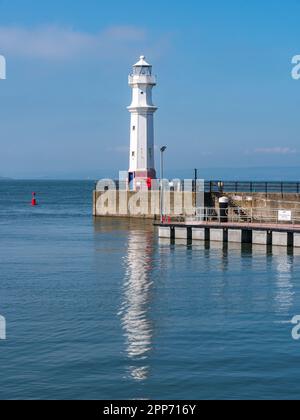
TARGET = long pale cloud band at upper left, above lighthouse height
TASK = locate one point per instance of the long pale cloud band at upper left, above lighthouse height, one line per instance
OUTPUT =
(56, 43)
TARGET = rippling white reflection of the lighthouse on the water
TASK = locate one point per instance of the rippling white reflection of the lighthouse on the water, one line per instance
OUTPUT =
(137, 327)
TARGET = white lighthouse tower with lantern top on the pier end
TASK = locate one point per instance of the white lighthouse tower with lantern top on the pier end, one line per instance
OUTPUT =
(142, 109)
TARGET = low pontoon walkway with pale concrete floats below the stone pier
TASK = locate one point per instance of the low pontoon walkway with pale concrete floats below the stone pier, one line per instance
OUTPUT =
(256, 234)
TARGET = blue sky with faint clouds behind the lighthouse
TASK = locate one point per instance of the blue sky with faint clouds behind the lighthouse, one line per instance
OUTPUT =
(226, 97)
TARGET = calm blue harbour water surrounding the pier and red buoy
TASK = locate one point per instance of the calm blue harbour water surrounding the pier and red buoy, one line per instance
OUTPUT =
(104, 310)
